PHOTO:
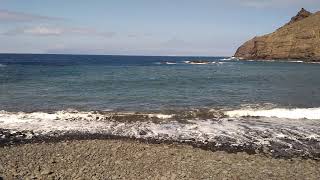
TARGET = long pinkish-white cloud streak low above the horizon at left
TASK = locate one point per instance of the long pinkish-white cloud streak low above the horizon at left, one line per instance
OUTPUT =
(42, 30)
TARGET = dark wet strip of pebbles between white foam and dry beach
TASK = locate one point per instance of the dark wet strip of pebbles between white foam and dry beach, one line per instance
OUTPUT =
(19, 140)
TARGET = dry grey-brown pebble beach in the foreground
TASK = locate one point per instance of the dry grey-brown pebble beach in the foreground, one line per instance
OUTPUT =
(129, 159)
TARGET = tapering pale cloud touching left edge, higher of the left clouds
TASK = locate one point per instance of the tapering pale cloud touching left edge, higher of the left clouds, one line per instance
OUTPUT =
(12, 16)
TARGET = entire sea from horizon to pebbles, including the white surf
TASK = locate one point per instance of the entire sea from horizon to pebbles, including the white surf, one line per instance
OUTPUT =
(224, 103)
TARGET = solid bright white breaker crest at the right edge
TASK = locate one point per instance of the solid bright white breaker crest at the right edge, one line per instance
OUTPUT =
(296, 113)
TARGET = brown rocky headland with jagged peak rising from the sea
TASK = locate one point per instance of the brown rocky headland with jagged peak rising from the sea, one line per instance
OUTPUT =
(298, 39)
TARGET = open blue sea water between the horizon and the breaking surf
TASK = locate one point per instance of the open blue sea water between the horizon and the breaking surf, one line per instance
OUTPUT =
(140, 83)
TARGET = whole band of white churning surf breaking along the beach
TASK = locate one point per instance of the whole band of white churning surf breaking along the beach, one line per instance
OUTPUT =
(216, 130)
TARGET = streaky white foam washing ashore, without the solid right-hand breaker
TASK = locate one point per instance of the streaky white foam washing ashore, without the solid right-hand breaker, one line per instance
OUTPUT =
(233, 131)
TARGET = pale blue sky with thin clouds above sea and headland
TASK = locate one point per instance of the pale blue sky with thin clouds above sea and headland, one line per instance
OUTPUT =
(140, 27)
